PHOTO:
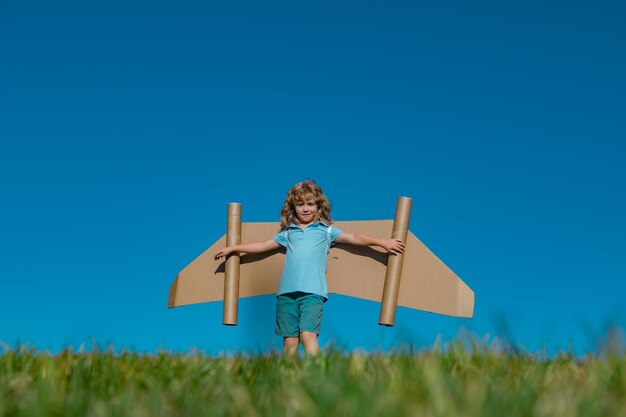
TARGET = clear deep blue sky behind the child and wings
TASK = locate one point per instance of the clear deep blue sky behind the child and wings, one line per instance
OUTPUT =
(126, 128)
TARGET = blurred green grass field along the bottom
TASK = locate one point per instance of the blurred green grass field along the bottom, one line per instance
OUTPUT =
(455, 381)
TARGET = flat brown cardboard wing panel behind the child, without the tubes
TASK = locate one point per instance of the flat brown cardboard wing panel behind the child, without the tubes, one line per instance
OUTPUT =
(426, 282)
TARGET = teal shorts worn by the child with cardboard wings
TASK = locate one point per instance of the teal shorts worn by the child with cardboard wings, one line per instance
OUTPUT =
(298, 312)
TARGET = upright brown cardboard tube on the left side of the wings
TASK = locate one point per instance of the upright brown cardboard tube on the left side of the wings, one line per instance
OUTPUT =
(231, 276)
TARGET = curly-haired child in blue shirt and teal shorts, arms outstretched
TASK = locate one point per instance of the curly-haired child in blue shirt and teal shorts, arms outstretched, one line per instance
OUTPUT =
(307, 234)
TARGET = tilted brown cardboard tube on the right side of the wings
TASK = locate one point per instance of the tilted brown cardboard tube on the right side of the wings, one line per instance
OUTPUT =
(394, 264)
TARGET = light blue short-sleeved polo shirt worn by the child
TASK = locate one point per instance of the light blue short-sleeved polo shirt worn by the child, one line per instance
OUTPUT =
(305, 263)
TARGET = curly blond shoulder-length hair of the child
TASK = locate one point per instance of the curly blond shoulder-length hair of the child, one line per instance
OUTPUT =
(300, 192)
